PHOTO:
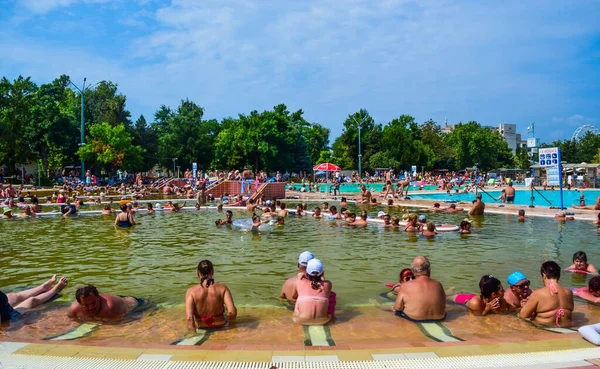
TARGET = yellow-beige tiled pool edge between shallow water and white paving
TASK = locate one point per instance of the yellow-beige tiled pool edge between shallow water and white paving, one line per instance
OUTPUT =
(373, 354)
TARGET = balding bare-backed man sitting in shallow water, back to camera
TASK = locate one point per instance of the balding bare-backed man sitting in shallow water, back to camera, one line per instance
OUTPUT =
(422, 298)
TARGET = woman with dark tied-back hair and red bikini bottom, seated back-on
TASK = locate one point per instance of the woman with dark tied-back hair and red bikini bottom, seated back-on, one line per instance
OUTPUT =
(206, 302)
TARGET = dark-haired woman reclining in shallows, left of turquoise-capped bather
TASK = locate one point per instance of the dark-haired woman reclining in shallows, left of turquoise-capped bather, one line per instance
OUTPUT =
(491, 299)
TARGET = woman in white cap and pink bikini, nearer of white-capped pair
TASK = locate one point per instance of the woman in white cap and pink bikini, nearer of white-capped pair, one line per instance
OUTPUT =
(315, 303)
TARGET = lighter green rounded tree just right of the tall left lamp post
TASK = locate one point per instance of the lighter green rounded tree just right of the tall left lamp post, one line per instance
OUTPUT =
(110, 147)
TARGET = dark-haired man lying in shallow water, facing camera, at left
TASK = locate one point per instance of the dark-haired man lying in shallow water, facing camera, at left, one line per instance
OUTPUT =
(89, 305)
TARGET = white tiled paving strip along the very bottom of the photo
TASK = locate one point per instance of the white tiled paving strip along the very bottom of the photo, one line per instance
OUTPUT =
(531, 360)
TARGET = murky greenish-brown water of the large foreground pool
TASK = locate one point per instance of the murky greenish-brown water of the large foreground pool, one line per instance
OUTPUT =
(157, 260)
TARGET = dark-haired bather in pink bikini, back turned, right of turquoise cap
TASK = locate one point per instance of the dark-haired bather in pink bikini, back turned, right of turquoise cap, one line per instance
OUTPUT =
(552, 304)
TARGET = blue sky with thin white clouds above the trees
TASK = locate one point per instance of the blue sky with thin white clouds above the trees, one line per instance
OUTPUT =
(489, 61)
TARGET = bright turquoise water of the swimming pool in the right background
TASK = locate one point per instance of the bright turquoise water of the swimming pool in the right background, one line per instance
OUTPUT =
(522, 197)
